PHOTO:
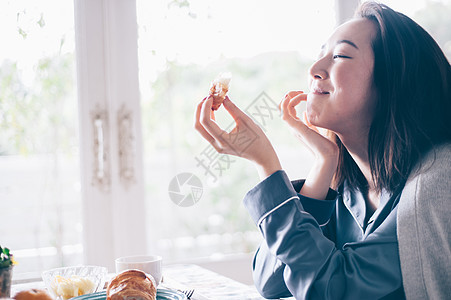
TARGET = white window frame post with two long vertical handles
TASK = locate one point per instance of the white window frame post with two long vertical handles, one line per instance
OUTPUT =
(108, 93)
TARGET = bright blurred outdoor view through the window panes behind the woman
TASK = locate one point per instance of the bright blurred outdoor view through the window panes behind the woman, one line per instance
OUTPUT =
(182, 45)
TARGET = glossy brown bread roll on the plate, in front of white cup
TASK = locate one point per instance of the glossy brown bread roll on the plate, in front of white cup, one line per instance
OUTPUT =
(132, 284)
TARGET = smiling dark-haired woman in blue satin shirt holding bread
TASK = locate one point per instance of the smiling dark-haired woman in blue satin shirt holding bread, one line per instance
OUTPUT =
(370, 220)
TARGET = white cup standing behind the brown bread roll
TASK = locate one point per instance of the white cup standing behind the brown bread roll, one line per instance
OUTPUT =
(150, 264)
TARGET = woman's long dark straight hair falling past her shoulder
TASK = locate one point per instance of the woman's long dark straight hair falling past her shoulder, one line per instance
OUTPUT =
(412, 78)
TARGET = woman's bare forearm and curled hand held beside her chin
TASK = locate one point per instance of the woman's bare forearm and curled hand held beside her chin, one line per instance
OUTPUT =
(325, 151)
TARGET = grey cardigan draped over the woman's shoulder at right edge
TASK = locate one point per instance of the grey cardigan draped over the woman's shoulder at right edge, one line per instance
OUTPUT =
(424, 228)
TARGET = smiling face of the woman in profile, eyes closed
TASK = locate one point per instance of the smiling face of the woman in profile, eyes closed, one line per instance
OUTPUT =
(342, 97)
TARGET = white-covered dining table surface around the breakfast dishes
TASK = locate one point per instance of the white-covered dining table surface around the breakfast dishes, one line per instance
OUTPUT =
(207, 284)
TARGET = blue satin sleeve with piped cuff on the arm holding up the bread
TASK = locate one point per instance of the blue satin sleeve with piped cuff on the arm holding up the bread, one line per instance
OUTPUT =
(296, 257)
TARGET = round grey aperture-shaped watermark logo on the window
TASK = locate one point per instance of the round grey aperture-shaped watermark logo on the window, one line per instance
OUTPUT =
(185, 189)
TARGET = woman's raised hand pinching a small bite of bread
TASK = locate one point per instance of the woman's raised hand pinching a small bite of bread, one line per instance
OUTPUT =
(245, 140)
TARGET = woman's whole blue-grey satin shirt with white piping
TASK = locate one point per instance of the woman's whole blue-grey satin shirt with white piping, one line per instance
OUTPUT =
(323, 249)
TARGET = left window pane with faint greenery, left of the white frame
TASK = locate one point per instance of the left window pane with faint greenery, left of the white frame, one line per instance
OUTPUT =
(39, 165)
